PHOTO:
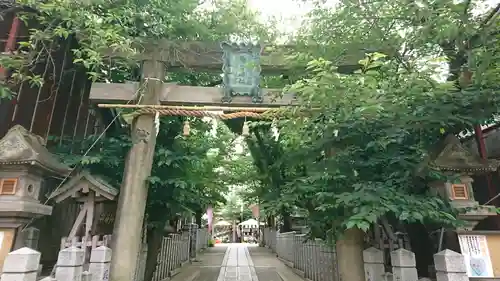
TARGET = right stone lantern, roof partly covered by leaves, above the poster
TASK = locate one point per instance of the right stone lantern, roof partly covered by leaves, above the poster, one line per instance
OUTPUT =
(458, 164)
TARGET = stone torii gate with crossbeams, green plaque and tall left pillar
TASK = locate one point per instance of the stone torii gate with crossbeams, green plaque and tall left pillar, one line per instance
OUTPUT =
(241, 64)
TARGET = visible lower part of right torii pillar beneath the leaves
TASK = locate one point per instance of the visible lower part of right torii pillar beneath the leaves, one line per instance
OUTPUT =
(350, 255)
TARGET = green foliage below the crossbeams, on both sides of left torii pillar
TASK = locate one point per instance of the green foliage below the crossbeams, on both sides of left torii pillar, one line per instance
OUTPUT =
(184, 174)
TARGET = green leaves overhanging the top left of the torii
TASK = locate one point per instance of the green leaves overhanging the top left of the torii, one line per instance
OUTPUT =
(98, 30)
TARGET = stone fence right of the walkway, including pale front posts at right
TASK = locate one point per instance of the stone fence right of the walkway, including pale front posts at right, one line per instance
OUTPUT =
(316, 261)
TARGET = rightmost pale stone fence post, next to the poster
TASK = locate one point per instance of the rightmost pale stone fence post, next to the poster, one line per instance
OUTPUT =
(450, 265)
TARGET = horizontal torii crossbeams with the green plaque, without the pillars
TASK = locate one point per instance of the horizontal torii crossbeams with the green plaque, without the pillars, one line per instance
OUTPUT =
(241, 66)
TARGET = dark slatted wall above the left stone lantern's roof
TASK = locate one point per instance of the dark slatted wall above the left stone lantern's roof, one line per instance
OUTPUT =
(61, 106)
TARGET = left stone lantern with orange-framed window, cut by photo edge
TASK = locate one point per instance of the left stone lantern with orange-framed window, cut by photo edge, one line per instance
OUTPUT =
(24, 163)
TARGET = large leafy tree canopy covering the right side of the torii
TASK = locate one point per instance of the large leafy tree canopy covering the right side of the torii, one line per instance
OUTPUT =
(349, 154)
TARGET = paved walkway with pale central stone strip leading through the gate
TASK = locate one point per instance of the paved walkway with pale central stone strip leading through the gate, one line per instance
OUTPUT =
(236, 262)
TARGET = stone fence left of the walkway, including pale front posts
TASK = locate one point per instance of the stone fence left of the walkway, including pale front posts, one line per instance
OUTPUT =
(24, 264)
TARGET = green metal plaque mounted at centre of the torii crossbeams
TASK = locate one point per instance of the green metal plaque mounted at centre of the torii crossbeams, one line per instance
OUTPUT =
(241, 70)
